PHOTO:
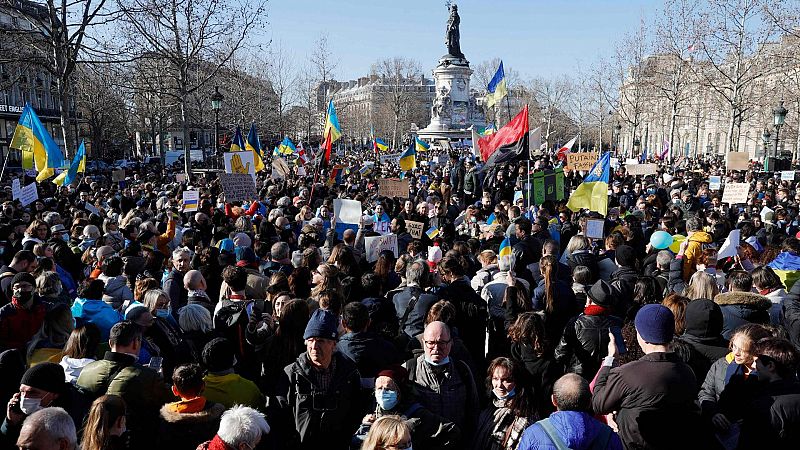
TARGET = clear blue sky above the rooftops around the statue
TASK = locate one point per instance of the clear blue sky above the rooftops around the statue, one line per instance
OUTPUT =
(533, 37)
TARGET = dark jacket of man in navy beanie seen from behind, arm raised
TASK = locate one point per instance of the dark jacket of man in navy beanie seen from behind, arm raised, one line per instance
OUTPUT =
(656, 390)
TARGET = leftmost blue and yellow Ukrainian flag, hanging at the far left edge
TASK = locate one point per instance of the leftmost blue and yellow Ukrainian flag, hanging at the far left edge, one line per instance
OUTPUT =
(36, 144)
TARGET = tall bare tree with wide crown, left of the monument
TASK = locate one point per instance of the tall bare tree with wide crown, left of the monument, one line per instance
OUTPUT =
(181, 34)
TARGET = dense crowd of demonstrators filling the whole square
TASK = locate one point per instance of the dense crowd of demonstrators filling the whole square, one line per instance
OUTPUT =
(127, 322)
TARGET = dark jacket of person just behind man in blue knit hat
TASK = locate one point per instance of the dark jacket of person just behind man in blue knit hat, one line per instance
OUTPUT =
(369, 351)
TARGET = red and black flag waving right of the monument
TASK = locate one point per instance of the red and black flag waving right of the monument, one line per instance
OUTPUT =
(509, 143)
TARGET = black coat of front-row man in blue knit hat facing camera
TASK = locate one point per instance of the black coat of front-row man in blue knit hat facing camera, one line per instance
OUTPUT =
(331, 424)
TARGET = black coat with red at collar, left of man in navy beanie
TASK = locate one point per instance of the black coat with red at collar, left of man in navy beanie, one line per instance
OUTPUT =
(584, 343)
